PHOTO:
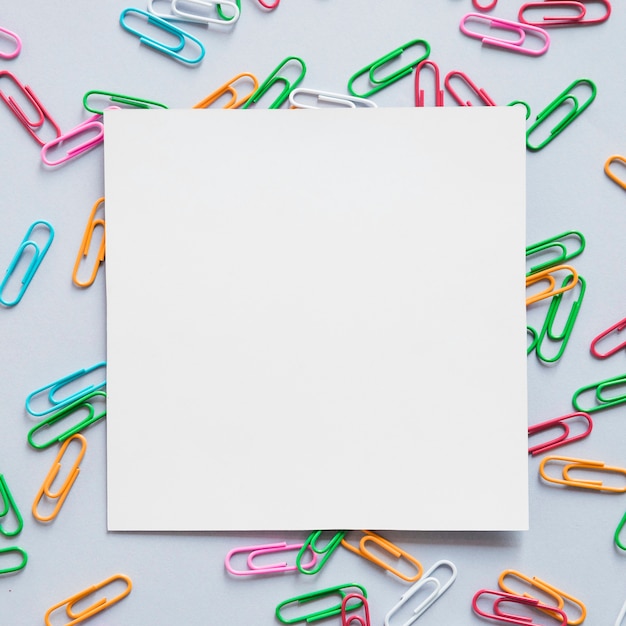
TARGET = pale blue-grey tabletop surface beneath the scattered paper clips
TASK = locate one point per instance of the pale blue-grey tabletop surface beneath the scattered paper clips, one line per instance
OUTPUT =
(72, 47)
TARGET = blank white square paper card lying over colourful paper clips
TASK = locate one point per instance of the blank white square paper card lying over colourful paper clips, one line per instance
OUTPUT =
(316, 319)
